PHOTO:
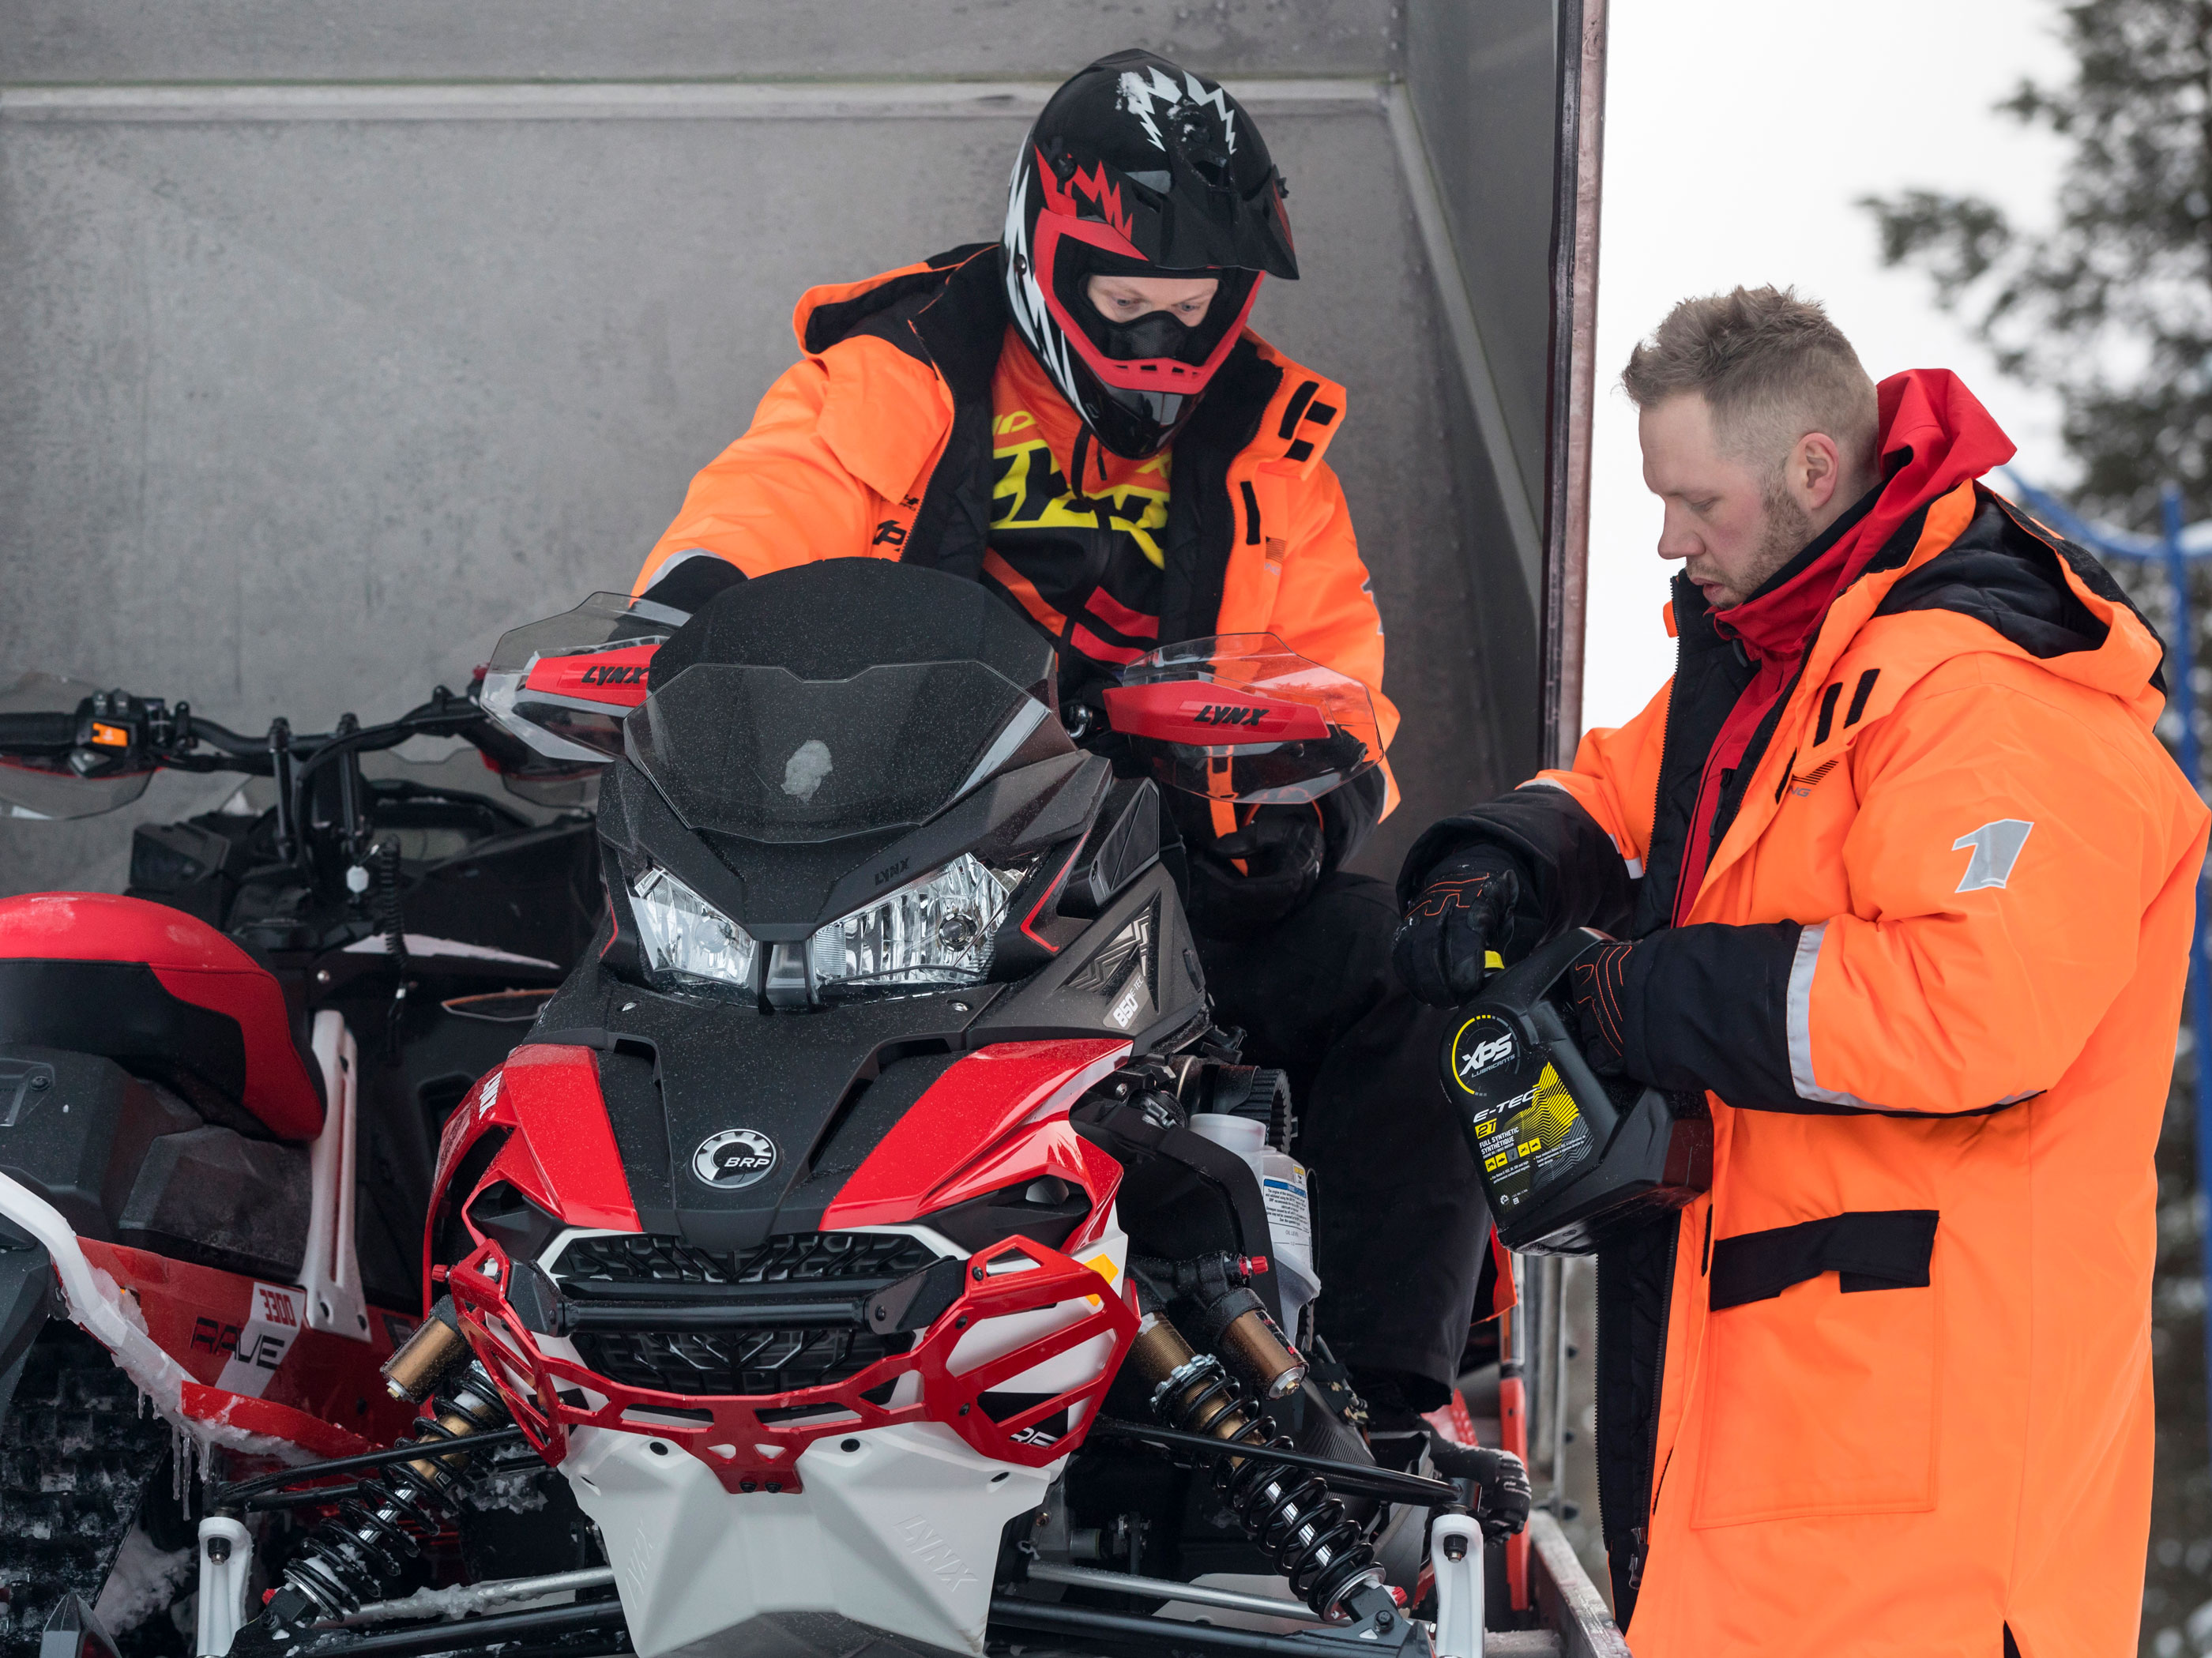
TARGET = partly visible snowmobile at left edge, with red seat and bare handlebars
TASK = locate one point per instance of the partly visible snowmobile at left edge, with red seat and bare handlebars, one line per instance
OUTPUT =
(220, 1098)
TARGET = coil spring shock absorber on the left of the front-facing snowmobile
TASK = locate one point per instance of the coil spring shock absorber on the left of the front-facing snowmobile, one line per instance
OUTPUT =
(359, 1553)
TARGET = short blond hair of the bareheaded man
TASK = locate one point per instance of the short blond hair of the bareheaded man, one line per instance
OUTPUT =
(1771, 366)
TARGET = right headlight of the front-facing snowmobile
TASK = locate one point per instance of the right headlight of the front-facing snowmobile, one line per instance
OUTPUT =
(930, 934)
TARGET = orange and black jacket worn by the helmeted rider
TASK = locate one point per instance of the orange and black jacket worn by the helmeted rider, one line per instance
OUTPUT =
(879, 441)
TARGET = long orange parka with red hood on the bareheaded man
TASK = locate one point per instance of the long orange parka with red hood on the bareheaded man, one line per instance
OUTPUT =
(1886, 1389)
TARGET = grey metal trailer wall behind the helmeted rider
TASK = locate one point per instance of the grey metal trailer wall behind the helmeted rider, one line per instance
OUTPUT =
(337, 339)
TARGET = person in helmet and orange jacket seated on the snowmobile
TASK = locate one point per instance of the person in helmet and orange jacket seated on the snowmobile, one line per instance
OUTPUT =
(1081, 419)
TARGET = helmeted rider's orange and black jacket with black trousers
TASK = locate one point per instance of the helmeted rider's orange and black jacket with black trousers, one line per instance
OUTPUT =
(879, 443)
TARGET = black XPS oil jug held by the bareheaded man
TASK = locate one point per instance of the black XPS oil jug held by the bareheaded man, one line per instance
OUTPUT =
(1569, 1159)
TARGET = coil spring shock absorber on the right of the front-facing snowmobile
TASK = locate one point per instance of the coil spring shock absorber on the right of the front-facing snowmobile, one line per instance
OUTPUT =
(1288, 1513)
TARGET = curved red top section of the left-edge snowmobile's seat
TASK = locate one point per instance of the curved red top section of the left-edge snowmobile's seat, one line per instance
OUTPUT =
(196, 965)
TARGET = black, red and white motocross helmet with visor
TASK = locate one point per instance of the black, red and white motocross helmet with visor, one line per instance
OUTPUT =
(1140, 169)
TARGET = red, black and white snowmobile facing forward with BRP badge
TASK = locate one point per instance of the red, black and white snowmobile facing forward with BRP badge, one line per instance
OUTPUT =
(875, 1235)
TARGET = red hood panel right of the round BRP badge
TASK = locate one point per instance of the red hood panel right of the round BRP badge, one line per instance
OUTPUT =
(939, 1151)
